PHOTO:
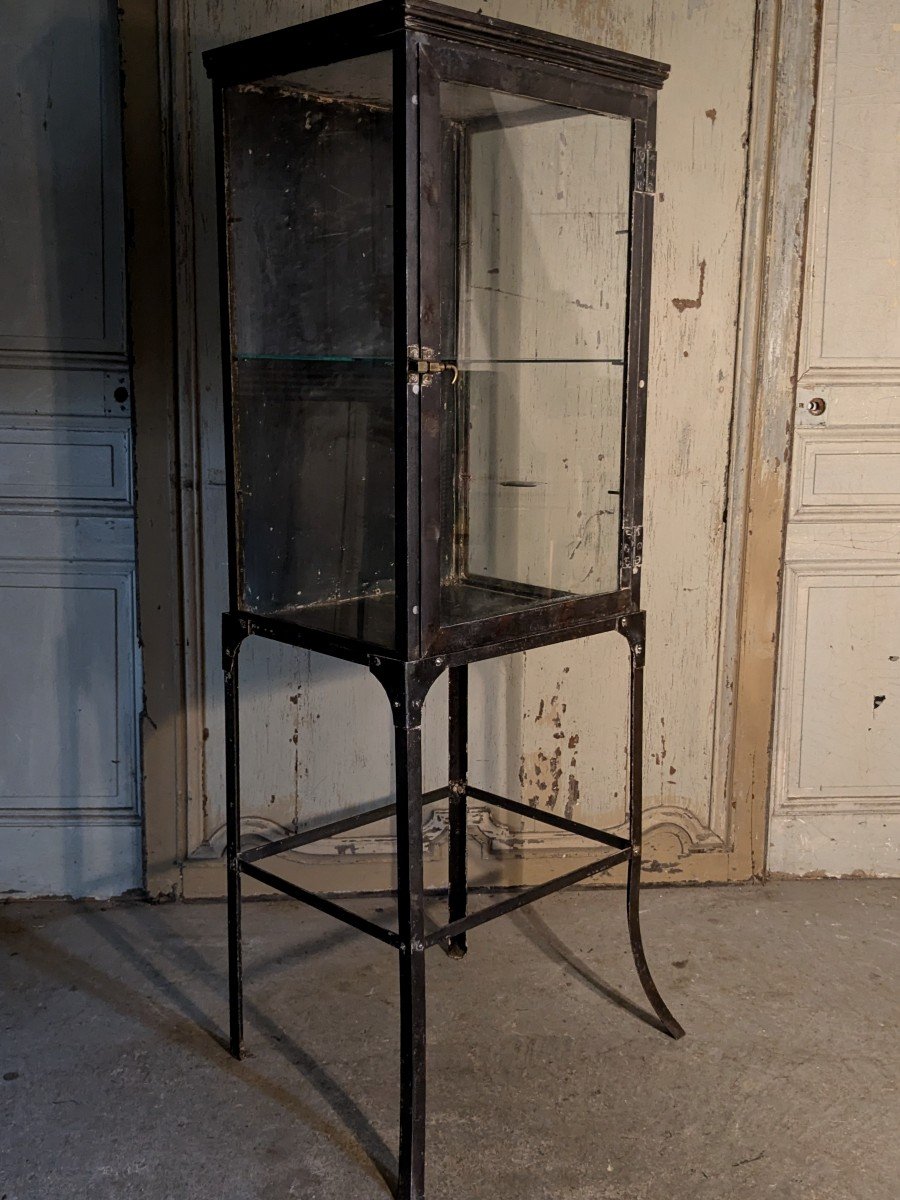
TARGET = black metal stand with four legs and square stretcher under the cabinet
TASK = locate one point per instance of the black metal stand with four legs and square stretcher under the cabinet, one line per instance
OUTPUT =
(407, 685)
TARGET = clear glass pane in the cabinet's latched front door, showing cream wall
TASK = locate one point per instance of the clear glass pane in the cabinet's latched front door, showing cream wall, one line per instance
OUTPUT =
(536, 321)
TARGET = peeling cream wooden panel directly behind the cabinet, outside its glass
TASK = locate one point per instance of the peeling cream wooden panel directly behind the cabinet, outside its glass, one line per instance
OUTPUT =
(302, 765)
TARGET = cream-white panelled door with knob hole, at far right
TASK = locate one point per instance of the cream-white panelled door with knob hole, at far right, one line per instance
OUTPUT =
(837, 761)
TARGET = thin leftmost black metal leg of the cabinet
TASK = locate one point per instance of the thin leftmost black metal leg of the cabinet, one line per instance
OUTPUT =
(236, 979)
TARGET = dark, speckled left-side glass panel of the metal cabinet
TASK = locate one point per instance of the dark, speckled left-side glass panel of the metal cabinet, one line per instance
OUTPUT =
(311, 266)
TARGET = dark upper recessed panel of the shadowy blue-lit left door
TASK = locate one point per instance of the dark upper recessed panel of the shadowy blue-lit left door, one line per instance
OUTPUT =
(68, 250)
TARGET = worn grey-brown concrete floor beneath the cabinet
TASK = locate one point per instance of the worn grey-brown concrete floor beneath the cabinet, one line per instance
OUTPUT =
(545, 1083)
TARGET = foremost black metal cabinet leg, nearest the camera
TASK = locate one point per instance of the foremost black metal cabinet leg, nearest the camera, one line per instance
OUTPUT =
(411, 910)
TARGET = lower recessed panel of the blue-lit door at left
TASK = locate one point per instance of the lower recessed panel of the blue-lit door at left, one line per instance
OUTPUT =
(75, 723)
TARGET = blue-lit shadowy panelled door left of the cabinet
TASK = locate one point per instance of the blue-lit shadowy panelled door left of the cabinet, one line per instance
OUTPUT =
(69, 793)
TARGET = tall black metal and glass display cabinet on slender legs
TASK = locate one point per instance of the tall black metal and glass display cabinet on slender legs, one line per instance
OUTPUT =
(435, 260)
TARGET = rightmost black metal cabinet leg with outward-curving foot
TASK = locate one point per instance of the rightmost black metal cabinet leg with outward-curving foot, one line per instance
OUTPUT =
(635, 634)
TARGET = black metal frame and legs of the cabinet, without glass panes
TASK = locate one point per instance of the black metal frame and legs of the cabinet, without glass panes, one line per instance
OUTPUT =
(431, 44)
